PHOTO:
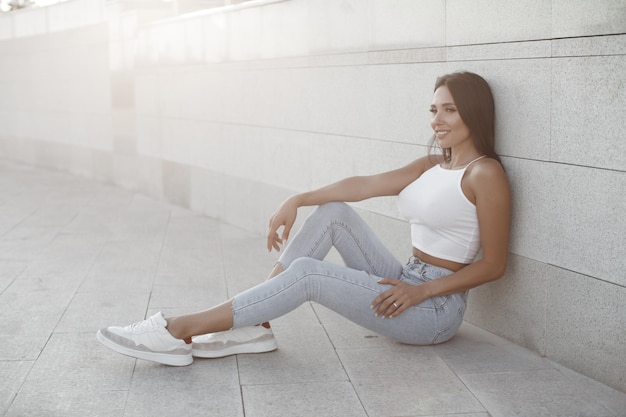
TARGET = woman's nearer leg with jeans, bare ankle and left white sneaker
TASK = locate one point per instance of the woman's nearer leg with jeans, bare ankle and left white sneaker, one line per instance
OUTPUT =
(347, 291)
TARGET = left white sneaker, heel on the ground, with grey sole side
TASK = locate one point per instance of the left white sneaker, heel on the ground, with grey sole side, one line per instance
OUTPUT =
(149, 340)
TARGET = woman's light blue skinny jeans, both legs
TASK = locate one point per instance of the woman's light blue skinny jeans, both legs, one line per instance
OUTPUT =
(349, 290)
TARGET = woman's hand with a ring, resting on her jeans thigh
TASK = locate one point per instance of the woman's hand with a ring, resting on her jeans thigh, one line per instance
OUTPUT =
(394, 301)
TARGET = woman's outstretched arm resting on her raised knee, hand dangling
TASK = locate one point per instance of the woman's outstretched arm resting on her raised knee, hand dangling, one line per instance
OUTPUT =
(349, 189)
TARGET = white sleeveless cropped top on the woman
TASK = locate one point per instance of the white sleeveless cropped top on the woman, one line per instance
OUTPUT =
(443, 221)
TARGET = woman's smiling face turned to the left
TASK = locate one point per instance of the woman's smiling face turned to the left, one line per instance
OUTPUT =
(450, 130)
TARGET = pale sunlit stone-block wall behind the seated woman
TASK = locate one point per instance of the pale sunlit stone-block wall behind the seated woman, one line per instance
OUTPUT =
(228, 111)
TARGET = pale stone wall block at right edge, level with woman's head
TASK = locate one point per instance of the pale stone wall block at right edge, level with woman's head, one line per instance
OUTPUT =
(587, 95)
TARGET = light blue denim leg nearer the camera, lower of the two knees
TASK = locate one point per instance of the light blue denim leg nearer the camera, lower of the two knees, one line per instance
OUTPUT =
(346, 291)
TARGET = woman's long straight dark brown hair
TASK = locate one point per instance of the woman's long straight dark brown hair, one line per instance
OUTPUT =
(474, 101)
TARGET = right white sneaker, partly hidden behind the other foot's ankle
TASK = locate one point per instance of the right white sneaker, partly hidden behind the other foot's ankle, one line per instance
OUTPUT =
(253, 339)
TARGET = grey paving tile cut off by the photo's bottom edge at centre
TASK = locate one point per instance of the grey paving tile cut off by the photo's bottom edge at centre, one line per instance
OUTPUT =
(334, 399)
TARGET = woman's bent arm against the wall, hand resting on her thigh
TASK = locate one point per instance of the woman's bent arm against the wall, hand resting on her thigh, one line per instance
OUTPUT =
(488, 184)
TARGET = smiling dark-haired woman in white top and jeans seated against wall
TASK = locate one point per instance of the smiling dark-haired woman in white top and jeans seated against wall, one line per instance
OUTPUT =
(456, 203)
